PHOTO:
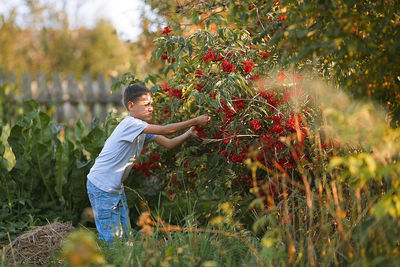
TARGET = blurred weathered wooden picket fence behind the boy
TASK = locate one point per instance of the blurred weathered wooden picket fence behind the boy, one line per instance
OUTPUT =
(88, 98)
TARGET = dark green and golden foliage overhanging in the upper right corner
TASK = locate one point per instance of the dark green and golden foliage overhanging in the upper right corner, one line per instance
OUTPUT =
(338, 39)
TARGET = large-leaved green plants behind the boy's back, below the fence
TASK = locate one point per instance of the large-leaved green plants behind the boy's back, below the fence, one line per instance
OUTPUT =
(47, 181)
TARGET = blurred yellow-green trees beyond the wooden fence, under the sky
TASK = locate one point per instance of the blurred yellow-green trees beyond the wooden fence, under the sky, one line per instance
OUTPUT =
(47, 43)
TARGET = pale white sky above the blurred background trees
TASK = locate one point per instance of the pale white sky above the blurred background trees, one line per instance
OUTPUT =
(124, 14)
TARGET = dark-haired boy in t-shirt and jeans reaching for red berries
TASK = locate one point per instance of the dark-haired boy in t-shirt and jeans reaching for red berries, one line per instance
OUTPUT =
(121, 149)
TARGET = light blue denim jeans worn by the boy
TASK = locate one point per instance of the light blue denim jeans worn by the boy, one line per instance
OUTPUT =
(110, 212)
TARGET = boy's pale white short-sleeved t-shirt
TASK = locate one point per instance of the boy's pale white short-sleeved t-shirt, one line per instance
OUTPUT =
(119, 153)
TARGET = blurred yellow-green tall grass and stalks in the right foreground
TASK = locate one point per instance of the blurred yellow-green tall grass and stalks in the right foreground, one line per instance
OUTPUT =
(345, 210)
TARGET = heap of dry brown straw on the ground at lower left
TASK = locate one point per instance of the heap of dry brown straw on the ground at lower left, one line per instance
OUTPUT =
(36, 246)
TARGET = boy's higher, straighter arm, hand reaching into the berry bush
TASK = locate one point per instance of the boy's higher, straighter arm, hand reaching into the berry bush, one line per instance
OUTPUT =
(177, 126)
